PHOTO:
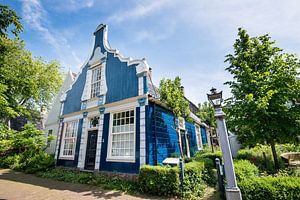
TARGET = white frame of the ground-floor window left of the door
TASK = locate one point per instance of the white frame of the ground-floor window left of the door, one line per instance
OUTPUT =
(70, 157)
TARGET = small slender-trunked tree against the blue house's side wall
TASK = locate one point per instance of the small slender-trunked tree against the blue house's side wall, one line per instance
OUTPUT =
(172, 95)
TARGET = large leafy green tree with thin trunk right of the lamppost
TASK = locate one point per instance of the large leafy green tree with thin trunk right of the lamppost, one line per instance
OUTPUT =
(264, 88)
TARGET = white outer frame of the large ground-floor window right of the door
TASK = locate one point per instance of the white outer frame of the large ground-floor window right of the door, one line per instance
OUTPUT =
(111, 158)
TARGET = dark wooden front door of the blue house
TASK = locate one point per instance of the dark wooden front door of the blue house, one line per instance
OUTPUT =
(91, 147)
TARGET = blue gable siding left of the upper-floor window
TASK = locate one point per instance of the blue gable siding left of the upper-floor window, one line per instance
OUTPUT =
(73, 99)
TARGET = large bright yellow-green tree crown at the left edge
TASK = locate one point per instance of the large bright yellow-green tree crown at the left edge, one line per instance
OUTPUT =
(26, 84)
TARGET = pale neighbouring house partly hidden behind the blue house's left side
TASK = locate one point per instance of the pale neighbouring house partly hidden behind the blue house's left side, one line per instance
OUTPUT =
(52, 119)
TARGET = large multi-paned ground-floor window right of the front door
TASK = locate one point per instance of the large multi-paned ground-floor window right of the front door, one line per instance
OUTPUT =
(122, 136)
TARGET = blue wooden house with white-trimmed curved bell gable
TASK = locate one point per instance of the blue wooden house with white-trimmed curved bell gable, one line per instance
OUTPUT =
(112, 120)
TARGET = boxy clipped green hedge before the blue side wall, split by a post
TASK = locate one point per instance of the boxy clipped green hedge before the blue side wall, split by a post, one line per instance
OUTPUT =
(165, 181)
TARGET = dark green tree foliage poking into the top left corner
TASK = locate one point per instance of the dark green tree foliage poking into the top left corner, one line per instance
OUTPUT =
(9, 20)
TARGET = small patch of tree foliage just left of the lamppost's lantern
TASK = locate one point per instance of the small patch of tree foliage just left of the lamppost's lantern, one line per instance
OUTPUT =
(207, 114)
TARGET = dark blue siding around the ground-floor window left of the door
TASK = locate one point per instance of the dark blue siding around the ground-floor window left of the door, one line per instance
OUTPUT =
(71, 163)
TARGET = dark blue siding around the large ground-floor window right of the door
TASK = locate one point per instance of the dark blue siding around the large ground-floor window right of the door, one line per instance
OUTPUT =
(120, 166)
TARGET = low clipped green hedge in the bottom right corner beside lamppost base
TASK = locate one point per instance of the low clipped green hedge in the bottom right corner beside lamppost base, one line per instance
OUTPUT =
(271, 188)
